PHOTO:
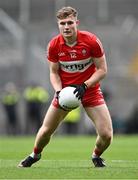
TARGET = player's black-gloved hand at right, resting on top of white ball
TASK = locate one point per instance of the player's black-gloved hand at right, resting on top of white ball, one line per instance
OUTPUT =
(80, 90)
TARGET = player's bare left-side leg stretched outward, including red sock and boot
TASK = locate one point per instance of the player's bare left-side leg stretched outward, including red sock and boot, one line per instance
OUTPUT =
(51, 121)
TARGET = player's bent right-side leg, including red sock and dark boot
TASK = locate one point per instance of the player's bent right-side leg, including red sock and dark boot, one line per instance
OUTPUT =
(103, 124)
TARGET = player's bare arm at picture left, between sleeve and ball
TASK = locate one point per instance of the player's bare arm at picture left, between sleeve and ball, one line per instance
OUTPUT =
(54, 76)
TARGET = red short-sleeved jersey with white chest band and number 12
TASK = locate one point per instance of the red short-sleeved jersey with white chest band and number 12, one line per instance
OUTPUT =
(76, 62)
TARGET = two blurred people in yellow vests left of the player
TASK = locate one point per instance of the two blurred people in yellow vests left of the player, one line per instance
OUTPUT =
(35, 99)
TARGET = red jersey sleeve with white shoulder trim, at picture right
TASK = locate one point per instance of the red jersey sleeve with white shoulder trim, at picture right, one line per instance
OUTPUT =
(97, 47)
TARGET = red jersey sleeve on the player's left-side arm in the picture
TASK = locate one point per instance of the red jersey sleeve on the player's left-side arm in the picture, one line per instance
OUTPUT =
(52, 54)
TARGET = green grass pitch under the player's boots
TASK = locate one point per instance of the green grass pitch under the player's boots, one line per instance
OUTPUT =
(69, 158)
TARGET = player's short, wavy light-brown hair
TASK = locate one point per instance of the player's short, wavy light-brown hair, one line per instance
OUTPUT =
(66, 12)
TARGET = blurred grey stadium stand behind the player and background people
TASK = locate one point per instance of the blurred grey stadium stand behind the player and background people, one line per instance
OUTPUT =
(27, 26)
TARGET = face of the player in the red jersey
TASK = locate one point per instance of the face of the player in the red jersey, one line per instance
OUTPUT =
(68, 27)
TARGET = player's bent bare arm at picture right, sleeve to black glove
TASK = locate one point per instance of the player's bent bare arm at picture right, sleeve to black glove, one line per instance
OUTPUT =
(100, 73)
